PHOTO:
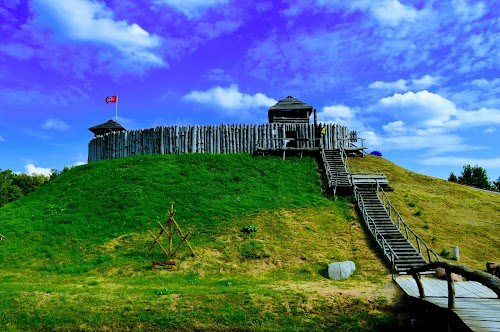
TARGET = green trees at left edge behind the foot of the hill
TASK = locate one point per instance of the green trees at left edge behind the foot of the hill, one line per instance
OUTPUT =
(17, 185)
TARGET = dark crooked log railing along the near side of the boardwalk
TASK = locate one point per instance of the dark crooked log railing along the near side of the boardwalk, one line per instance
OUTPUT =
(484, 278)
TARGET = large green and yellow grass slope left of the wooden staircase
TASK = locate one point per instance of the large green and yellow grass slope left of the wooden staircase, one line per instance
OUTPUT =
(74, 253)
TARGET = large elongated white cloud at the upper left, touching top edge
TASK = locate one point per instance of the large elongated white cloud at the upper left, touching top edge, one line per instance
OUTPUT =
(95, 24)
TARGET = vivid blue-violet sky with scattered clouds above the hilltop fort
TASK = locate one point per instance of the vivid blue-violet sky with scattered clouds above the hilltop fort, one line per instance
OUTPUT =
(420, 80)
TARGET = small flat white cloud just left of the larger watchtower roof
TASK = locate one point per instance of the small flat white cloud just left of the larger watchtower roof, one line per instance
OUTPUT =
(230, 98)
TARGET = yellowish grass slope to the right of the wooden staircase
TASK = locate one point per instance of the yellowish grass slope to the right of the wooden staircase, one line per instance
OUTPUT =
(443, 213)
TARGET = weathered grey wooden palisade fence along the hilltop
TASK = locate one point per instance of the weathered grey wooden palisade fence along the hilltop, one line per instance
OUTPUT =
(241, 138)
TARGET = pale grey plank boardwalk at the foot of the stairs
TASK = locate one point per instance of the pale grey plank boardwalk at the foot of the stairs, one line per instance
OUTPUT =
(476, 305)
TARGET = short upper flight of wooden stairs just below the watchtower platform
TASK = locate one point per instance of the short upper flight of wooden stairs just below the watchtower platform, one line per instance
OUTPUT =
(337, 171)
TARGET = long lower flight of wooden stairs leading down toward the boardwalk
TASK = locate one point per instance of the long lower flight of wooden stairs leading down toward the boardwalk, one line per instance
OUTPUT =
(397, 248)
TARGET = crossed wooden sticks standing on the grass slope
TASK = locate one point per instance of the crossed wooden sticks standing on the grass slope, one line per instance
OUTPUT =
(170, 228)
